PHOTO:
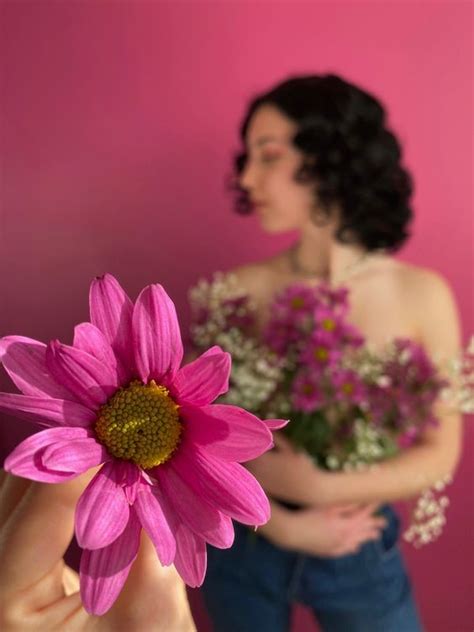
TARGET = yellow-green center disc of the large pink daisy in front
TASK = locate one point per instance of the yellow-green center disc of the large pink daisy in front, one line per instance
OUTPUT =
(140, 423)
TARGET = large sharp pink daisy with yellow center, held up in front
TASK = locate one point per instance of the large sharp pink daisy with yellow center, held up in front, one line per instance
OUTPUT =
(170, 458)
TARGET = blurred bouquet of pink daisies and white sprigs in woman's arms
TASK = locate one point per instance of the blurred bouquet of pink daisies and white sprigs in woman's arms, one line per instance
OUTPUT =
(350, 405)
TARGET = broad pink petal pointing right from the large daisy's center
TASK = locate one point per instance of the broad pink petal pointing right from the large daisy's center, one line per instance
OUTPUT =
(228, 432)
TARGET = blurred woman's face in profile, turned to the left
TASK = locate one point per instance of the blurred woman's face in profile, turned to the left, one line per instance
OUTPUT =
(280, 203)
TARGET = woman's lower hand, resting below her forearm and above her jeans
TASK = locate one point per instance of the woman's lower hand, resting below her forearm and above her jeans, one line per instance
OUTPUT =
(330, 532)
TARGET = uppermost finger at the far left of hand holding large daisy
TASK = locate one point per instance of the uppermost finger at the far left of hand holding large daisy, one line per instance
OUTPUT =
(38, 532)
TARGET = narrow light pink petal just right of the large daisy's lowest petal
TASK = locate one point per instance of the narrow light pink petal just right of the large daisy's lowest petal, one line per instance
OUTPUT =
(153, 520)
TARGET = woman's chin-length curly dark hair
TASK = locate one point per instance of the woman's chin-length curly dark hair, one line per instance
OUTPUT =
(351, 156)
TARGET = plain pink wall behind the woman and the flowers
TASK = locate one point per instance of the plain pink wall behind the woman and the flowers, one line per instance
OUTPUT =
(118, 120)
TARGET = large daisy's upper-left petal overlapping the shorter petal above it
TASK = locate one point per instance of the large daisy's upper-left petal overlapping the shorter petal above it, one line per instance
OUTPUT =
(90, 381)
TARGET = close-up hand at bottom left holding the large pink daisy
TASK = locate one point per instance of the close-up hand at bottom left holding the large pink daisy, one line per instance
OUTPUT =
(39, 592)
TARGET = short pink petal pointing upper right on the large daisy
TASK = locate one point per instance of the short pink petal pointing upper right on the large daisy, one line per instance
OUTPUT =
(203, 380)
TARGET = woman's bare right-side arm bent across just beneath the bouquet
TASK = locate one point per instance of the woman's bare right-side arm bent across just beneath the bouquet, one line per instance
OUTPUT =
(415, 469)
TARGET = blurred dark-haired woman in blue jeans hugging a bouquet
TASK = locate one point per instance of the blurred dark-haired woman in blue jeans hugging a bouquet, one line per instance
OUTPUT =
(318, 158)
